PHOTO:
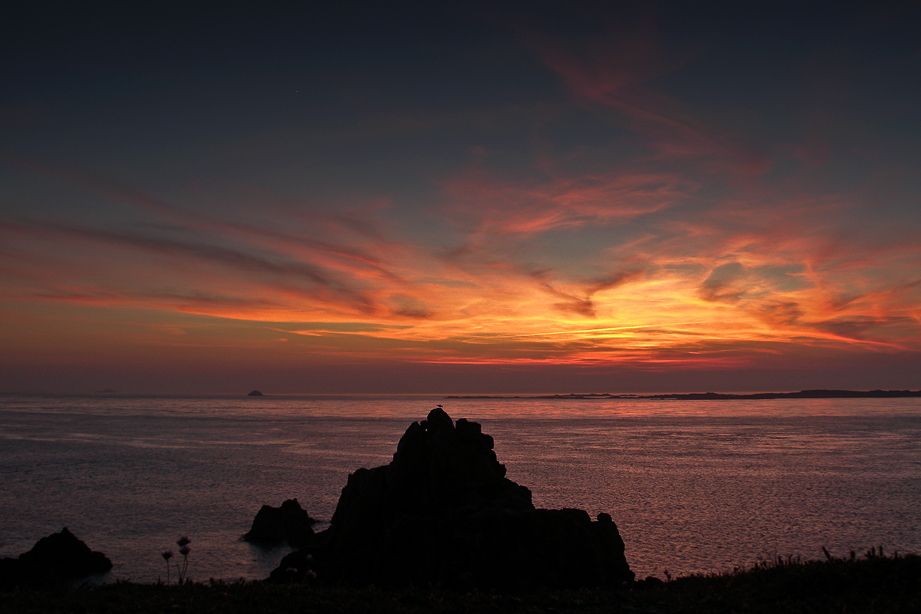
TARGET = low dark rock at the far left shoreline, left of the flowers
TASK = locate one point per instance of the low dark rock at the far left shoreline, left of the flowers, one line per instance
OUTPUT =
(60, 557)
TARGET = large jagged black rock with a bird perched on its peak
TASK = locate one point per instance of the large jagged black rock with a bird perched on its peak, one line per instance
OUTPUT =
(443, 512)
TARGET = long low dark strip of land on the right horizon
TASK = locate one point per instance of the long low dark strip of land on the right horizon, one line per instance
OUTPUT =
(716, 396)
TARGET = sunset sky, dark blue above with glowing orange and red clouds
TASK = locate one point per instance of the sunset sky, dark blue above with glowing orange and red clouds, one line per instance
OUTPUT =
(479, 198)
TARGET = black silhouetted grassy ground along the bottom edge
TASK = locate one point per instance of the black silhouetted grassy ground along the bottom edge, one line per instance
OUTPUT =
(874, 583)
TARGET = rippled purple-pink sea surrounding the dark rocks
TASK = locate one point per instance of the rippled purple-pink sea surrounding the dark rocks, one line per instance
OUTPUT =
(694, 486)
